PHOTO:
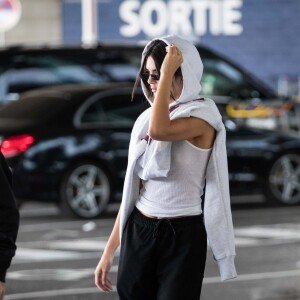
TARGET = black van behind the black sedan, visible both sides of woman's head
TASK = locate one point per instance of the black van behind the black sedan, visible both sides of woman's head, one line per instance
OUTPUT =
(26, 68)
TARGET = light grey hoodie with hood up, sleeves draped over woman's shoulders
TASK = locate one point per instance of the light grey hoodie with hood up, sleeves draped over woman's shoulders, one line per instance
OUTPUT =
(154, 159)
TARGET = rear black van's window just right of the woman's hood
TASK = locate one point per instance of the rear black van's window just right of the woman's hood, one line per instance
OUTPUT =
(220, 79)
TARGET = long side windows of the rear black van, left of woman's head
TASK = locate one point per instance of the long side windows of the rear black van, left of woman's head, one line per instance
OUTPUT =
(26, 72)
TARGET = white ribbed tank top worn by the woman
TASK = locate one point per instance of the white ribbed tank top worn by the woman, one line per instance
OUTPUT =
(178, 194)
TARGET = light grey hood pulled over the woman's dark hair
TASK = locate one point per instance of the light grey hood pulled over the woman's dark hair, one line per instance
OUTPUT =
(191, 68)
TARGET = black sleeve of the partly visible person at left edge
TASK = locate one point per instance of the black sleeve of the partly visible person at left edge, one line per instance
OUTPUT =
(9, 218)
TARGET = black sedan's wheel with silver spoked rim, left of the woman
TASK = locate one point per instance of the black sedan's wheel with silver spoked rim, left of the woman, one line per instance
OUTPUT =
(86, 190)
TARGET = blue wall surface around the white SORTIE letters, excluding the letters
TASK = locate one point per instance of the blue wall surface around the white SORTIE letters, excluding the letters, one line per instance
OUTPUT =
(268, 46)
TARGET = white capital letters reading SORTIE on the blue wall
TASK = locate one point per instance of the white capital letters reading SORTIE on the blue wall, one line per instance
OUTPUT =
(183, 17)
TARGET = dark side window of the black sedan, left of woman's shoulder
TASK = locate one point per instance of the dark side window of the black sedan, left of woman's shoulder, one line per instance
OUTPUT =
(117, 109)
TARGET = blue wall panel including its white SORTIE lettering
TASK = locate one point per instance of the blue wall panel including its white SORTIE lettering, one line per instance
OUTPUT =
(262, 35)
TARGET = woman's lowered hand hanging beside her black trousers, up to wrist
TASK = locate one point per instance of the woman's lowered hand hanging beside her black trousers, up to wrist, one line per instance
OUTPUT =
(102, 280)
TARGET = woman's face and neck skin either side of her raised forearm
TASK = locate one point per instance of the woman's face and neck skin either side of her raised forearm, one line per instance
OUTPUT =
(153, 82)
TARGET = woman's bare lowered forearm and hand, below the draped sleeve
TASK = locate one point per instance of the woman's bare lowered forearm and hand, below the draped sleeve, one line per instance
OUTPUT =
(102, 279)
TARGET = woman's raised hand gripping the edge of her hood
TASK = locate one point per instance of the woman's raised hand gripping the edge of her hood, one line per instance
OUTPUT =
(172, 61)
